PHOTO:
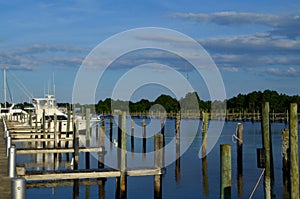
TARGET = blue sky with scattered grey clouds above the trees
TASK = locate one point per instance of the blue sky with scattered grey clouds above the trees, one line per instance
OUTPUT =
(255, 46)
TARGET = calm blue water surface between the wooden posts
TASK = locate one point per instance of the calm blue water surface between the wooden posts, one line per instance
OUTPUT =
(188, 181)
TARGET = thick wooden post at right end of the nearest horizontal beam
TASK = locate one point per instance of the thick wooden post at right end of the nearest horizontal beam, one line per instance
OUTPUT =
(158, 163)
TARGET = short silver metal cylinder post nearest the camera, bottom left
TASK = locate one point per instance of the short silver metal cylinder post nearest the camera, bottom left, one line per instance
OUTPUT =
(18, 188)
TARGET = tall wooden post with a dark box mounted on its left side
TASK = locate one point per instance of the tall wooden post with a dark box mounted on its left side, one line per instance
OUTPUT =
(267, 146)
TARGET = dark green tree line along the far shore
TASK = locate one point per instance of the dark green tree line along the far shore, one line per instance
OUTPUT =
(250, 102)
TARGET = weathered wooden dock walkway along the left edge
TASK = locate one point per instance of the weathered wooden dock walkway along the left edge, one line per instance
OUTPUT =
(5, 187)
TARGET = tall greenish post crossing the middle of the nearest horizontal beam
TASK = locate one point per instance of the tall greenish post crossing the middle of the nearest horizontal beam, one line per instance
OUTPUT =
(123, 176)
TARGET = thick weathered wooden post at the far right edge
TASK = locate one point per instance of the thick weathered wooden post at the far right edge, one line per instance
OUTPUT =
(293, 145)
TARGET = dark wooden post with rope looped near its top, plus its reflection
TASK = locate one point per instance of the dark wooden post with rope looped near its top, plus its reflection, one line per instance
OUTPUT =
(239, 134)
